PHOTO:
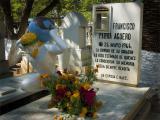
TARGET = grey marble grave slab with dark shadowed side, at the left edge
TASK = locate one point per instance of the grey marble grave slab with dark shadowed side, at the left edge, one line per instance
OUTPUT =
(18, 91)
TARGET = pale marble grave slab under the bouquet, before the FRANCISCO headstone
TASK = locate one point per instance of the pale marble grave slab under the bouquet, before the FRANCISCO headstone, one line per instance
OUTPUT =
(118, 102)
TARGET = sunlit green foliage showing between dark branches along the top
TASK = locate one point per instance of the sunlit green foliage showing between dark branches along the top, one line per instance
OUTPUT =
(65, 6)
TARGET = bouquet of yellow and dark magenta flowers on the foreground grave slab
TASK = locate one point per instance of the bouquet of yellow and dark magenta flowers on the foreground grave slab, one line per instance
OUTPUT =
(73, 93)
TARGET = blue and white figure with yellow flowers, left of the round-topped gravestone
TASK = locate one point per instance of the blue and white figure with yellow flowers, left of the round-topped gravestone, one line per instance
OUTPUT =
(43, 44)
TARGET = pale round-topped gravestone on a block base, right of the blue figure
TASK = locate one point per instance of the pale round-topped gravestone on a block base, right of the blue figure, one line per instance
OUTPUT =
(78, 54)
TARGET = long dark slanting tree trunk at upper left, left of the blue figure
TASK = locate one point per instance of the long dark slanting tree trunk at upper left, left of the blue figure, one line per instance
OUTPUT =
(24, 19)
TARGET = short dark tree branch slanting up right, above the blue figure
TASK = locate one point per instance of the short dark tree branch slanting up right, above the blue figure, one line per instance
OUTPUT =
(48, 8)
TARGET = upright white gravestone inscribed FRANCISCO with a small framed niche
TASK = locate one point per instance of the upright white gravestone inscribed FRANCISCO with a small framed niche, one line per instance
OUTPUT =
(117, 32)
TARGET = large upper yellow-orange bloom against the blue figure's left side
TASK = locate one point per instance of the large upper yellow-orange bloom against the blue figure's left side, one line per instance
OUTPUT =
(28, 39)
